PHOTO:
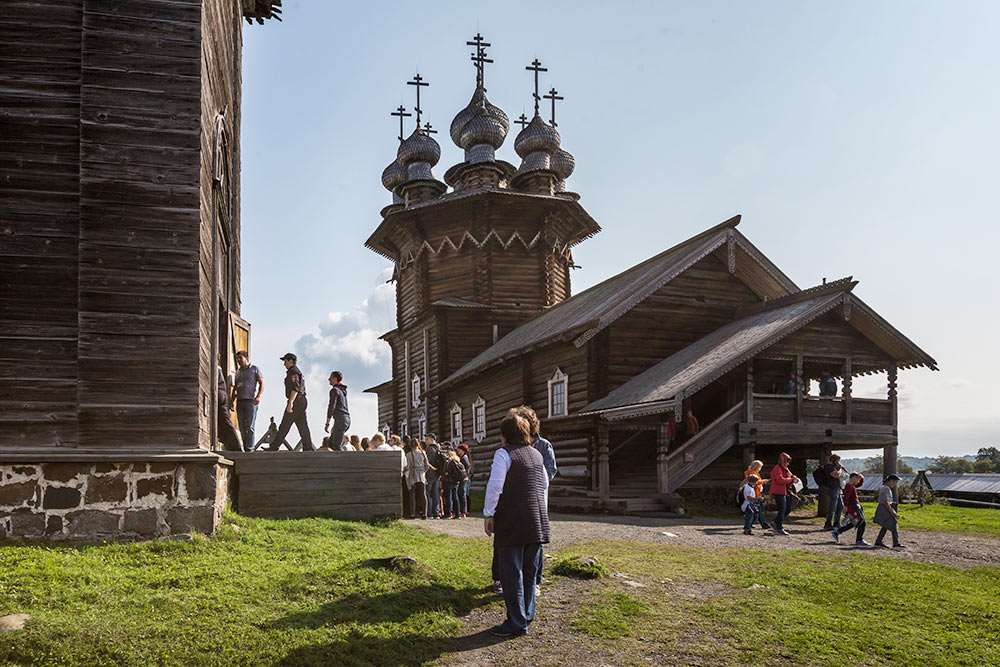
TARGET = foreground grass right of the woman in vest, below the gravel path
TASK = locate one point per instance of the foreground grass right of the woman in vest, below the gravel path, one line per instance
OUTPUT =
(815, 610)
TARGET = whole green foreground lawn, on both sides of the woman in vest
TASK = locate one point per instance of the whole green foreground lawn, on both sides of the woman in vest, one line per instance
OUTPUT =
(297, 593)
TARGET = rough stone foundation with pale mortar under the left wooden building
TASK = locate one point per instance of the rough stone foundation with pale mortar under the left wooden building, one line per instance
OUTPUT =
(74, 500)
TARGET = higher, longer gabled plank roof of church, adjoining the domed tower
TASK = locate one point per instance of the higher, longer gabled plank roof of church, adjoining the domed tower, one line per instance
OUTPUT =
(582, 316)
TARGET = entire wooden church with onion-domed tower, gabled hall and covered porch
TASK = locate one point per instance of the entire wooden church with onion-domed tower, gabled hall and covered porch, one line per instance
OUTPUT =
(486, 321)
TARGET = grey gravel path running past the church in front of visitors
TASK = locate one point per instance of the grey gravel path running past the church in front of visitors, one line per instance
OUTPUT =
(932, 547)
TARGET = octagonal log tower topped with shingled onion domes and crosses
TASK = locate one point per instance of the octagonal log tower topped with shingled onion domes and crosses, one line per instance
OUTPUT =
(478, 254)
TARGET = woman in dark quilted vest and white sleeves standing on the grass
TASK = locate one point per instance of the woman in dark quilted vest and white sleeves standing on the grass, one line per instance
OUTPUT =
(516, 514)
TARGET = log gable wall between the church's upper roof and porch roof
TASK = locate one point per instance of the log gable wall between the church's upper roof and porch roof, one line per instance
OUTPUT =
(692, 305)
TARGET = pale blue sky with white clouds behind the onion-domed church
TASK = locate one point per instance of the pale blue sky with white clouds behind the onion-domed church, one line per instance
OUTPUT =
(854, 138)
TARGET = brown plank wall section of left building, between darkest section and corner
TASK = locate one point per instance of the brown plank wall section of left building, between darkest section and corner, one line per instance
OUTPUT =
(139, 217)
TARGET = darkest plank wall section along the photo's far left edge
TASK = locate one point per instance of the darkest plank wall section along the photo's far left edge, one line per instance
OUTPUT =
(39, 223)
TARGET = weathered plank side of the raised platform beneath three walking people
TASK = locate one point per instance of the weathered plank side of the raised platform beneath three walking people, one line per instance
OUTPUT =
(292, 485)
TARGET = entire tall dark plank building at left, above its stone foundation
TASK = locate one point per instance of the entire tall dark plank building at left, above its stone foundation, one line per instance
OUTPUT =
(119, 176)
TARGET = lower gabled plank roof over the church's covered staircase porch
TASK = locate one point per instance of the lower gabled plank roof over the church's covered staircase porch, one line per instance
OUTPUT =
(685, 372)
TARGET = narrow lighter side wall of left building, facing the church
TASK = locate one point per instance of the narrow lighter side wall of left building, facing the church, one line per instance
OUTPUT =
(220, 93)
